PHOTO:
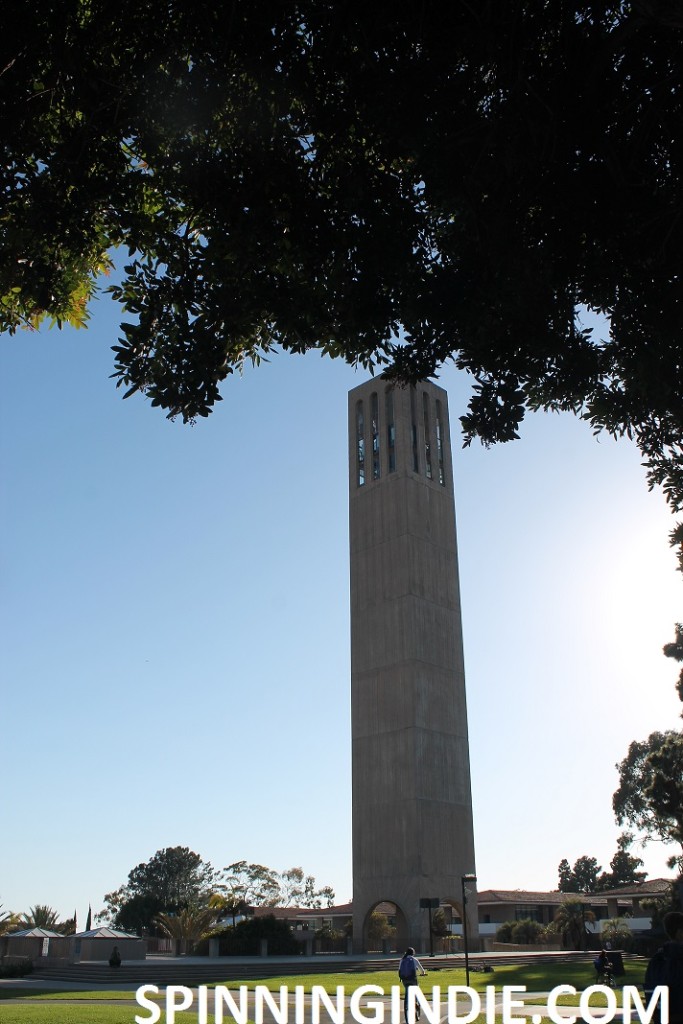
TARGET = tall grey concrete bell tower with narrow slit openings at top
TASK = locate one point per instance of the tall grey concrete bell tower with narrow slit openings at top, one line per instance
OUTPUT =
(413, 834)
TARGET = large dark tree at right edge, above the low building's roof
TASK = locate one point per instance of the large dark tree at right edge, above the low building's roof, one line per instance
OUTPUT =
(651, 792)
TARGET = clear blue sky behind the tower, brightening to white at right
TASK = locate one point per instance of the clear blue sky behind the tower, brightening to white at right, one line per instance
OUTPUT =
(176, 649)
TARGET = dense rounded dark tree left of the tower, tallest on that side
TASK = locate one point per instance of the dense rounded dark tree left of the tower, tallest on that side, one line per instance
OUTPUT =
(173, 881)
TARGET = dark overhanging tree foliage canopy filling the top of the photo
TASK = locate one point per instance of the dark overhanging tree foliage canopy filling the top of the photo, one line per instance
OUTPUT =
(399, 186)
